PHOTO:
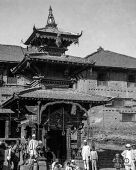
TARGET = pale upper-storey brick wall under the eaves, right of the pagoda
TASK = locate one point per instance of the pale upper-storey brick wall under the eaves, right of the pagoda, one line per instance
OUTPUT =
(116, 85)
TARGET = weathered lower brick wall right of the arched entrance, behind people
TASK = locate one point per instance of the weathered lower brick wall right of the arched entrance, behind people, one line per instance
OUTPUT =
(106, 125)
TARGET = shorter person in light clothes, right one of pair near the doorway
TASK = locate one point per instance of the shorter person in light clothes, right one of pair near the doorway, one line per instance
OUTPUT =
(94, 158)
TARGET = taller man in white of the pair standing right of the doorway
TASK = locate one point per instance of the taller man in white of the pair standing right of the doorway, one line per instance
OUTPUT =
(86, 154)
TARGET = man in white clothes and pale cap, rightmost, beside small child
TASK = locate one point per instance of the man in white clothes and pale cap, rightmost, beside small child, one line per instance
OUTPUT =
(129, 158)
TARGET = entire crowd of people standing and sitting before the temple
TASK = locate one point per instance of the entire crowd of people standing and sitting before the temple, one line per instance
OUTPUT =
(32, 149)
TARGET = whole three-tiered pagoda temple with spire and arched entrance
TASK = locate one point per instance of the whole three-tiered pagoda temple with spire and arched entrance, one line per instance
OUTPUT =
(52, 106)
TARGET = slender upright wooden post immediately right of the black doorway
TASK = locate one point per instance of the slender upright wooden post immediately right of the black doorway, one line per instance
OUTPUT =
(68, 135)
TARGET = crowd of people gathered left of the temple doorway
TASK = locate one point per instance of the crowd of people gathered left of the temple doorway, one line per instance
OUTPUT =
(19, 152)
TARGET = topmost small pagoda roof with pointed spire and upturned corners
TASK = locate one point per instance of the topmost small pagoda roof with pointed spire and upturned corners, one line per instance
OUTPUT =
(51, 39)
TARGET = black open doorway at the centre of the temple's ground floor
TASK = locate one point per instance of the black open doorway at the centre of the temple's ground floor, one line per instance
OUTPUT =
(57, 143)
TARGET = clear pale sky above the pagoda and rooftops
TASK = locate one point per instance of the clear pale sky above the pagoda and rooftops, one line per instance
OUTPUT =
(110, 24)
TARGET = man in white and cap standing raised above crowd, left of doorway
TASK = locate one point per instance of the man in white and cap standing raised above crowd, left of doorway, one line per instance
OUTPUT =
(32, 147)
